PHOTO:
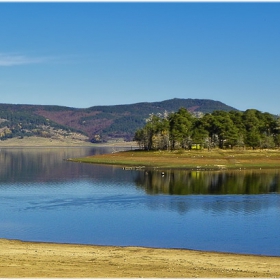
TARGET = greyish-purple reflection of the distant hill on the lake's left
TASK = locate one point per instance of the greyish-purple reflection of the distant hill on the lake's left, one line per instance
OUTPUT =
(45, 164)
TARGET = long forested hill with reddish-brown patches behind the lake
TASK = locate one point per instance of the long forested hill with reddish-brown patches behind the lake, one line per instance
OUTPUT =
(97, 123)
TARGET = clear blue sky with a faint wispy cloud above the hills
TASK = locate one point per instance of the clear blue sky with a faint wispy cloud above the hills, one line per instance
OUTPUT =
(86, 54)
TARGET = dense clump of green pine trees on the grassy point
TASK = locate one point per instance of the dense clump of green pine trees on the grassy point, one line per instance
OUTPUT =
(182, 130)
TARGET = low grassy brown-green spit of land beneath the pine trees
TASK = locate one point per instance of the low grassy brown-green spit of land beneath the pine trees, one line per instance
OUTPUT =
(203, 160)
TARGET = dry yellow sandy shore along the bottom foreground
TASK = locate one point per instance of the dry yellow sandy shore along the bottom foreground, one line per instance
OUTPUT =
(48, 260)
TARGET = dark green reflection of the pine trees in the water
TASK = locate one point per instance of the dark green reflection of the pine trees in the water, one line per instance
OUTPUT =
(209, 182)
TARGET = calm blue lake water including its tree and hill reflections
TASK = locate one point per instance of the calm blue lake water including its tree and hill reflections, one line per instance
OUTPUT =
(45, 198)
